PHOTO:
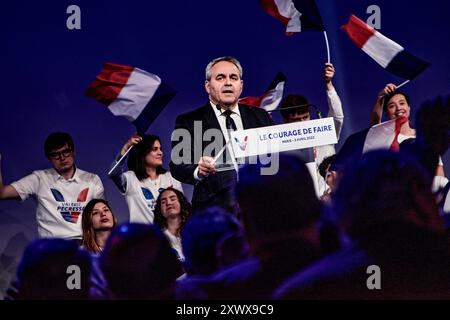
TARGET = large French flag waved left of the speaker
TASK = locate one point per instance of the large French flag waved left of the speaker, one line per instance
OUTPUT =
(135, 94)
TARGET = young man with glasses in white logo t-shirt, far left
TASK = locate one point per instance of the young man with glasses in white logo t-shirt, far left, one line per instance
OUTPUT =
(61, 192)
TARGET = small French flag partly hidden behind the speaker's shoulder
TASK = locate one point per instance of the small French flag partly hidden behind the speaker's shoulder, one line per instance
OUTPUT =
(271, 98)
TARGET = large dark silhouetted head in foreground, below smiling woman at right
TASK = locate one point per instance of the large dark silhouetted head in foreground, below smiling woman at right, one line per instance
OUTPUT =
(385, 188)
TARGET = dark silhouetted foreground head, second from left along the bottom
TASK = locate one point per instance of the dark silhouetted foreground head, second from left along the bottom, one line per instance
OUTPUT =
(138, 263)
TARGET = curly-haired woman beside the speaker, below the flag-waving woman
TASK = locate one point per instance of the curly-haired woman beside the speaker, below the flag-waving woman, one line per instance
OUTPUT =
(171, 213)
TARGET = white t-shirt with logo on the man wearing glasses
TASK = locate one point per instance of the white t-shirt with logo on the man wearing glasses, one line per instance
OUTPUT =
(60, 202)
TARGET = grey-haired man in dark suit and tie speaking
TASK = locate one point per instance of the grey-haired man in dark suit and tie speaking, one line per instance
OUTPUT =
(208, 125)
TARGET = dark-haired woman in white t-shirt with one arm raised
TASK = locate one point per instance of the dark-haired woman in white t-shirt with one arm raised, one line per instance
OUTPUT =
(146, 177)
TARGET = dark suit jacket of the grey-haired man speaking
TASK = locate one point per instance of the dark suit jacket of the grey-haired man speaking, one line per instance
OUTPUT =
(215, 189)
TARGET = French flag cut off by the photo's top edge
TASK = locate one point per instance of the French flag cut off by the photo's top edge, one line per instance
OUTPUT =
(296, 15)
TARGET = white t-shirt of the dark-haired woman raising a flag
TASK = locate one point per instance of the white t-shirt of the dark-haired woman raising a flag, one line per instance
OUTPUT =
(141, 195)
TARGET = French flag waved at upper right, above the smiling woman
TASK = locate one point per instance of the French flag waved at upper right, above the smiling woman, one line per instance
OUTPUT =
(387, 53)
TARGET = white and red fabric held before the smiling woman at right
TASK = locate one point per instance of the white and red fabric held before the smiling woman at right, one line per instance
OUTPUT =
(384, 135)
